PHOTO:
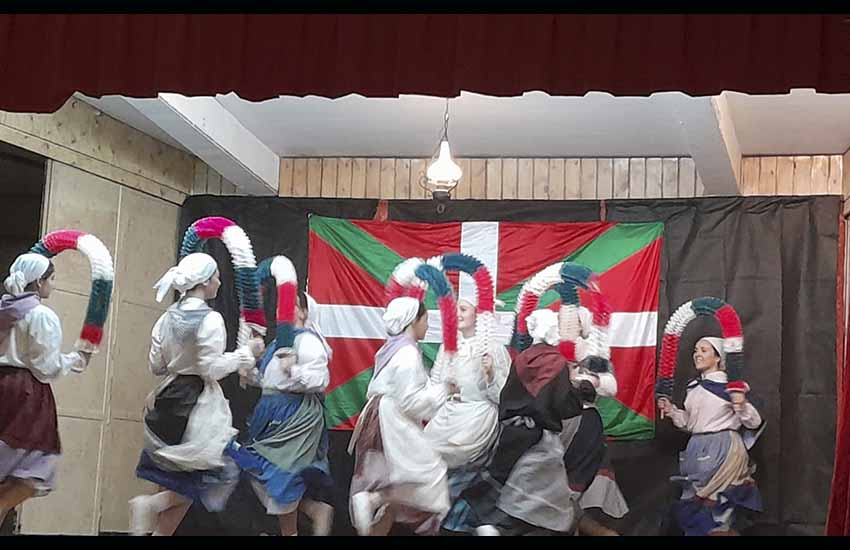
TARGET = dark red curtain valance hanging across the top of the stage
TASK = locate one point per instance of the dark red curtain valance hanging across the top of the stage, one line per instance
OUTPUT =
(45, 58)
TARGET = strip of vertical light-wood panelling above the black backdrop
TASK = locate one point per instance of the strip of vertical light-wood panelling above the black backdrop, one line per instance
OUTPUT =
(540, 178)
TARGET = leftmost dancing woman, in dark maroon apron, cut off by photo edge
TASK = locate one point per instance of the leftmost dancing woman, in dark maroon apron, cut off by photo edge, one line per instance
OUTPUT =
(30, 359)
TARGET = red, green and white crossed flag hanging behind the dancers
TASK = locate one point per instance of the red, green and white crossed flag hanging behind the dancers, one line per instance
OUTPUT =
(351, 260)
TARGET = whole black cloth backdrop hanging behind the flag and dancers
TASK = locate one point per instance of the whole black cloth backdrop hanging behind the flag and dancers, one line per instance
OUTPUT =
(773, 258)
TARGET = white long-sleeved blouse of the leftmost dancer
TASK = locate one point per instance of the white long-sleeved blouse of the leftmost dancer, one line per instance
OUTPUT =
(35, 343)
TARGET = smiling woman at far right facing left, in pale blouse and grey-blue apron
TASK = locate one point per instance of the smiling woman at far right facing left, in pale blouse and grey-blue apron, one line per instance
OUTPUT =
(716, 473)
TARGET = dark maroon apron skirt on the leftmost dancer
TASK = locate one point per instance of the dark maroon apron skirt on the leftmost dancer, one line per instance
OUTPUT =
(27, 412)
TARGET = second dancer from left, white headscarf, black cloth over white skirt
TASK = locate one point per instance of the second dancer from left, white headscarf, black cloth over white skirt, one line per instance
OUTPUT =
(187, 422)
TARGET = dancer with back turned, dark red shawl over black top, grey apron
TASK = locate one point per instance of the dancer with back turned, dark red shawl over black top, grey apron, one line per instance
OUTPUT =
(524, 486)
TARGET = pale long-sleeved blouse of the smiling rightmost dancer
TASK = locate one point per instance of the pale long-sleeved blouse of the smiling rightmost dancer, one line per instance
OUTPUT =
(705, 412)
